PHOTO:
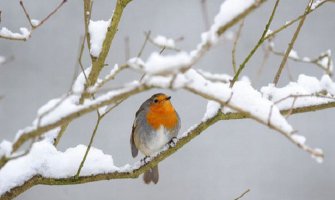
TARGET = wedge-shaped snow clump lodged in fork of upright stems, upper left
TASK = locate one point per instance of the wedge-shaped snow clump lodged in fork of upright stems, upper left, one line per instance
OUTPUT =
(97, 30)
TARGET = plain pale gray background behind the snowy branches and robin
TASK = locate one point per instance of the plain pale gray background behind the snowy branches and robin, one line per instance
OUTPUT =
(225, 160)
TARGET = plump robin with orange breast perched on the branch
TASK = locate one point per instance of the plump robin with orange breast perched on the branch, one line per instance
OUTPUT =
(156, 124)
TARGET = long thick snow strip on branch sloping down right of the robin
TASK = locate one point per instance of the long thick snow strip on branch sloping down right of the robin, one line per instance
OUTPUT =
(242, 97)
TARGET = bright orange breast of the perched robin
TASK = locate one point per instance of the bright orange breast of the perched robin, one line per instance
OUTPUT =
(162, 114)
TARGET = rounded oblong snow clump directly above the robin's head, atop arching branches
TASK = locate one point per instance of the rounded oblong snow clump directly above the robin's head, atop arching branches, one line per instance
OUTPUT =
(165, 64)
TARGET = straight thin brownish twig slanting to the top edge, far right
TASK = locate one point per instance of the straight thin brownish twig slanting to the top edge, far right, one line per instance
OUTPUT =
(290, 45)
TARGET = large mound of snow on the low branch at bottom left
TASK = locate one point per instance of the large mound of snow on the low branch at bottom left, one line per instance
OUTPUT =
(44, 159)
